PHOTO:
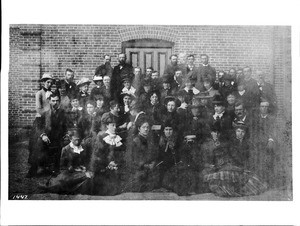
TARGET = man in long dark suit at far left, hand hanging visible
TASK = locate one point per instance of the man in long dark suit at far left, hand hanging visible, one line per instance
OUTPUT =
(47, 140)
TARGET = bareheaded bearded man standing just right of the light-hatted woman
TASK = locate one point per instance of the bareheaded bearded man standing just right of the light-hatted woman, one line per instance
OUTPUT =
(66, 88)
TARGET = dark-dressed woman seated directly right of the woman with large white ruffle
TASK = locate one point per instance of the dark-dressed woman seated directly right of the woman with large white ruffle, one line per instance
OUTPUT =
(141, 155)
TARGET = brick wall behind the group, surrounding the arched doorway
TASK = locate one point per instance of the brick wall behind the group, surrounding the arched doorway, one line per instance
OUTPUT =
(35, 49)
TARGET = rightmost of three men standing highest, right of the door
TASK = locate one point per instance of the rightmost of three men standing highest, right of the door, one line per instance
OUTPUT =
(205, 72)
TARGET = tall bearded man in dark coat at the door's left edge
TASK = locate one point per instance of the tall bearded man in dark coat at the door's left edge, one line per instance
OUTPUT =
(120, 71)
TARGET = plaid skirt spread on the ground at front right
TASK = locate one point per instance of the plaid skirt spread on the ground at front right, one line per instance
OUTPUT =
(232, 181)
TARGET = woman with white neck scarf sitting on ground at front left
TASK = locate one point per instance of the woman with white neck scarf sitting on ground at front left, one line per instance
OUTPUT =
(74, 176)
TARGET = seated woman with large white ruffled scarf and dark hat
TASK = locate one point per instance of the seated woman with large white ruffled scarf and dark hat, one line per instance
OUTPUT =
(107, 162)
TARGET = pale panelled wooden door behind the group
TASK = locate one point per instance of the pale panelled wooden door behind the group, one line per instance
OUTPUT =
(157, 58)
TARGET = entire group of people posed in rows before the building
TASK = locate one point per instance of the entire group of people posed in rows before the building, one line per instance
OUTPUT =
(191, 130)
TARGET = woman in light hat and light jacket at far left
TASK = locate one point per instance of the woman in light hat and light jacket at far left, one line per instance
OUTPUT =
(43, 95)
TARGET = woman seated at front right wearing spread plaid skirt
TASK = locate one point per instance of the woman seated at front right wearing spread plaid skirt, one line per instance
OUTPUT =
(225, 174)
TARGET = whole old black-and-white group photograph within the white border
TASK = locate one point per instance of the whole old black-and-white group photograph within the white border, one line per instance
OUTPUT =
(149, 111)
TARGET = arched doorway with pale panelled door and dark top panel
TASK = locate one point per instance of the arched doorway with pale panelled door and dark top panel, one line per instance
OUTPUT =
(148, 53)
